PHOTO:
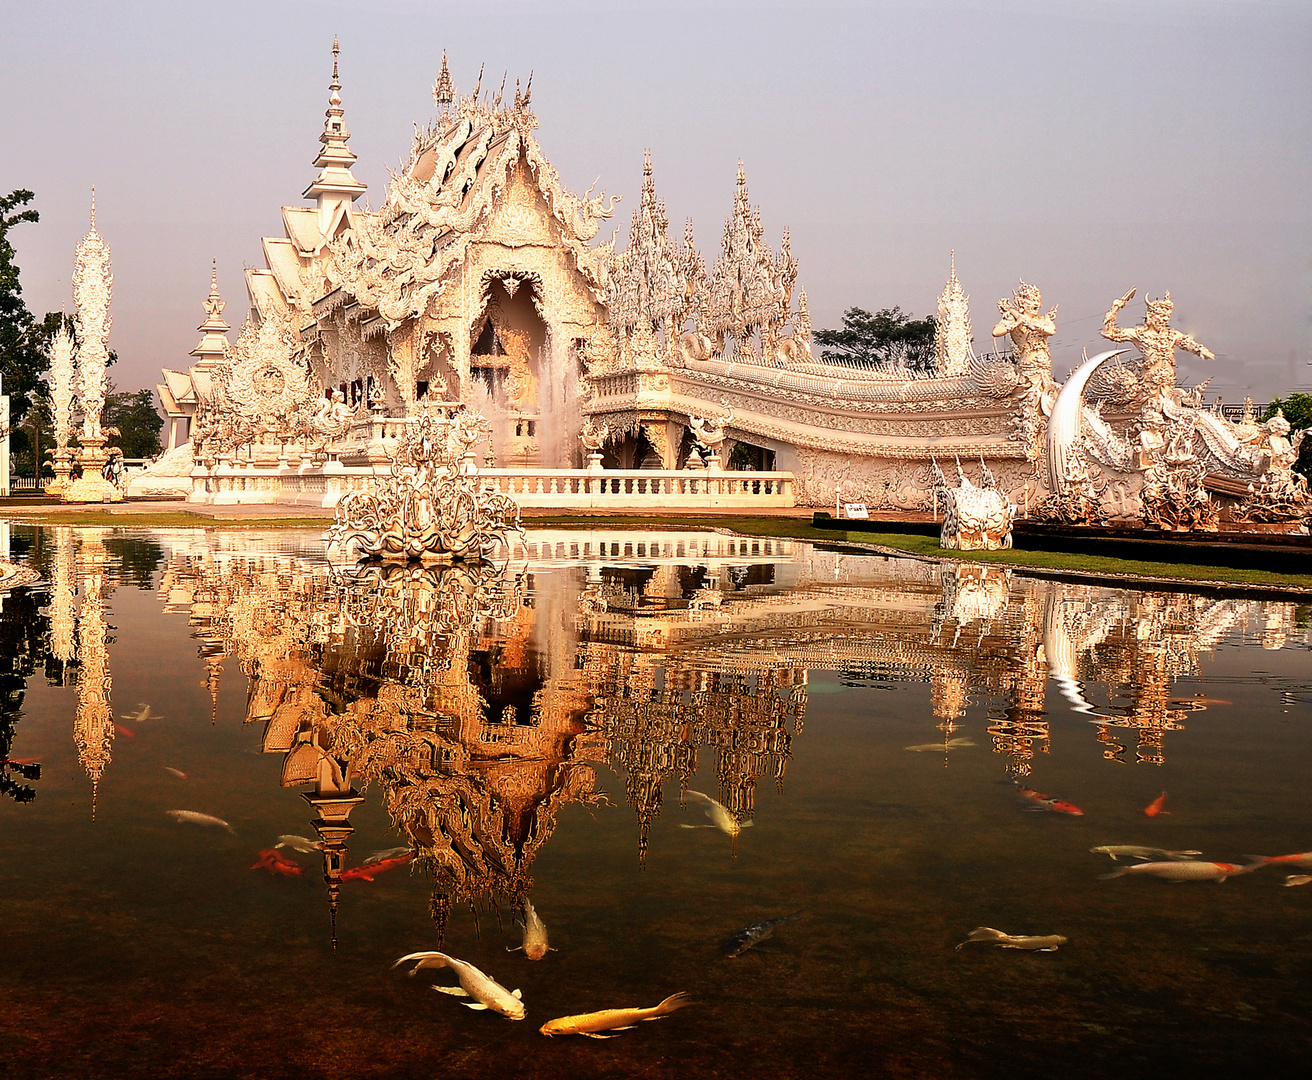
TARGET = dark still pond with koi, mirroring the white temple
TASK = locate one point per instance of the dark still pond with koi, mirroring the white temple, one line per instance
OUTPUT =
(657, 739)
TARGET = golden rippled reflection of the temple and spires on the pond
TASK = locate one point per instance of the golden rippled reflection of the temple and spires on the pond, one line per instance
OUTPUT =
(482, 701)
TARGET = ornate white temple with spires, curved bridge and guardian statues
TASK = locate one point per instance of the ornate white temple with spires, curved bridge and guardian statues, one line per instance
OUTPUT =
(480, 284)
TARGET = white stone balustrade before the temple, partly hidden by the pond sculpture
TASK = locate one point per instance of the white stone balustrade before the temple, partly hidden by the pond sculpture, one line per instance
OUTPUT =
(566, 489)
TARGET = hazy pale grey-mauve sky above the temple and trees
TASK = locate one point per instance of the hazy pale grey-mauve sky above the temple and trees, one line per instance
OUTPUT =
(1087, 148)
